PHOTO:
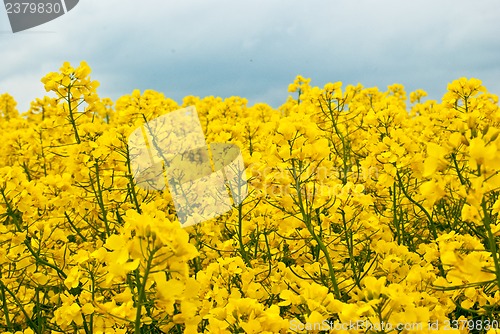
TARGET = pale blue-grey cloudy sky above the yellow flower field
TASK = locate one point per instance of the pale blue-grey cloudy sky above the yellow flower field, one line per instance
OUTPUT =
(255, 48)
